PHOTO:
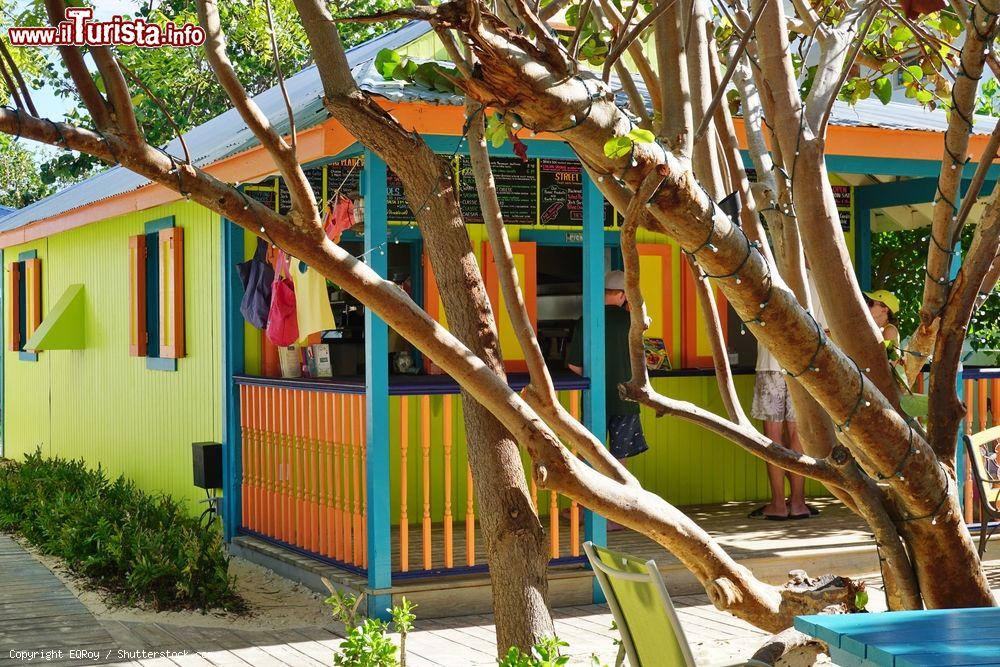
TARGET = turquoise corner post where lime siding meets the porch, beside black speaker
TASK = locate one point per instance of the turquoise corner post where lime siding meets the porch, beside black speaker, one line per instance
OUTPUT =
(232, 364)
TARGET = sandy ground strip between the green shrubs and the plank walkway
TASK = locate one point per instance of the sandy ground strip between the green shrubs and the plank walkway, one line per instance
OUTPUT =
(274, 602)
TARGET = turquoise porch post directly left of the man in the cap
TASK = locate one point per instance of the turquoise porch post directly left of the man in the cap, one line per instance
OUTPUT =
(595, 526)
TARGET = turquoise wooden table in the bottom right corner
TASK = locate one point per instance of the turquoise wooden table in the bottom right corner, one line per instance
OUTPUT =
(909, 638)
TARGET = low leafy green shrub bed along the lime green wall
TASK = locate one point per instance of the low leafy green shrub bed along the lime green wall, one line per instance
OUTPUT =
(139, 547)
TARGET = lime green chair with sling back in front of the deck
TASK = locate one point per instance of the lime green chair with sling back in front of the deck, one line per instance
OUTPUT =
(651, 631)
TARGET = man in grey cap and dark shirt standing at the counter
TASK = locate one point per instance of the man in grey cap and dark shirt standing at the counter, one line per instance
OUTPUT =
(624, 428)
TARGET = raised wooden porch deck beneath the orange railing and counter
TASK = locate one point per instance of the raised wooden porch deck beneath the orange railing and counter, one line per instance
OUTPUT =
(835, 541)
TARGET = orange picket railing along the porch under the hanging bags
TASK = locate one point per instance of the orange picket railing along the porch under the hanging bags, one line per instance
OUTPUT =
(304, 483)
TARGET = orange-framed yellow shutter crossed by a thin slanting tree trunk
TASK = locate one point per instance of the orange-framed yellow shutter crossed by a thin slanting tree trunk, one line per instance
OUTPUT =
(525, 260)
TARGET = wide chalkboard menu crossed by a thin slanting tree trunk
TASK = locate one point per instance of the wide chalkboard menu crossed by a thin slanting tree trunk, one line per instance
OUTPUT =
(516, 184)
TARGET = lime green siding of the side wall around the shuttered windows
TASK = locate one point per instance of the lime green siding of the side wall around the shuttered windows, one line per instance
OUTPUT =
(99, 403)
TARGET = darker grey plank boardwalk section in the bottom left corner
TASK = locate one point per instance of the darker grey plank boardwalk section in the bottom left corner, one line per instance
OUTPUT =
(38, 613)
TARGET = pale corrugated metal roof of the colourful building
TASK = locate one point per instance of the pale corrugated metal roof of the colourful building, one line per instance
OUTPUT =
(227, 134)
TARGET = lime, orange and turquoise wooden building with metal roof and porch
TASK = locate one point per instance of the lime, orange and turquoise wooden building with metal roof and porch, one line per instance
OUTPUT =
(123, 341)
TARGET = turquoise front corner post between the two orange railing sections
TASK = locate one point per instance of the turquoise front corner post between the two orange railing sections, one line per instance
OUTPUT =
(373, 184)
